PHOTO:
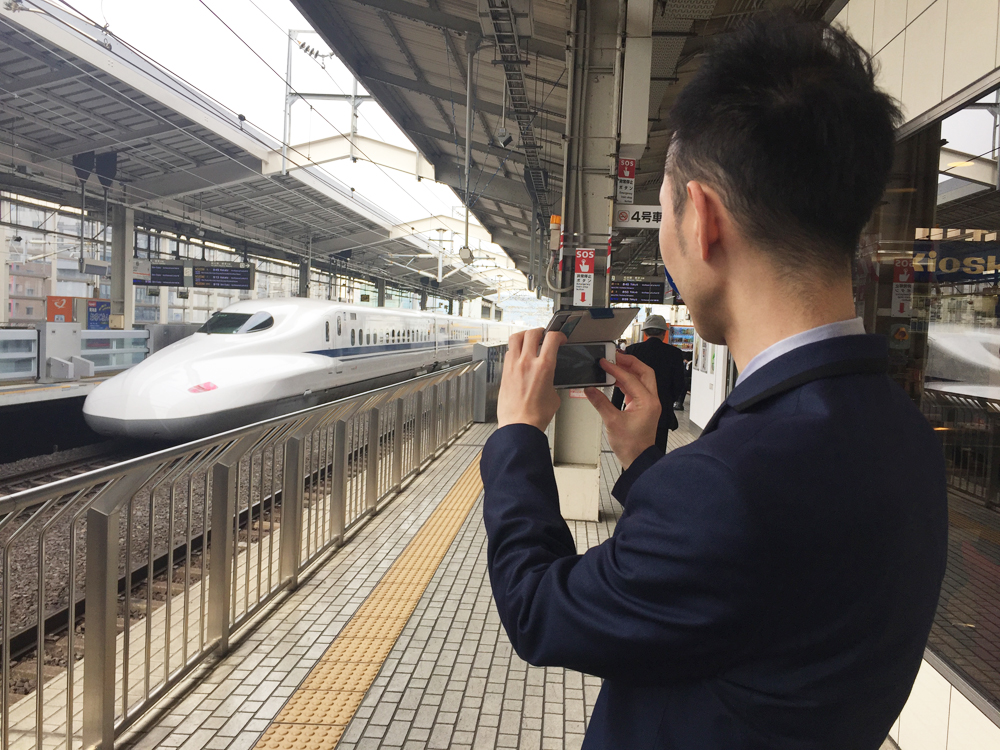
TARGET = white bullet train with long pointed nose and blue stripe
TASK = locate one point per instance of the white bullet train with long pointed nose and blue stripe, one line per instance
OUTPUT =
(259, 359)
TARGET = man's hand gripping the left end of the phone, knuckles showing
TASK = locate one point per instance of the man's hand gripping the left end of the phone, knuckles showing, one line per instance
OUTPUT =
(527, 395)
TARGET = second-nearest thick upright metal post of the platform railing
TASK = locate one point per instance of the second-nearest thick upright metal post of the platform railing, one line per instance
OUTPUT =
(221, 557)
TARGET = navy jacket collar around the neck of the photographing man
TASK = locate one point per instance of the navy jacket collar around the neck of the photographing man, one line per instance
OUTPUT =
(844, 355)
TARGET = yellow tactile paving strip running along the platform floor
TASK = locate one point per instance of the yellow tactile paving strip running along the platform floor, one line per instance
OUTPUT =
(317, 714)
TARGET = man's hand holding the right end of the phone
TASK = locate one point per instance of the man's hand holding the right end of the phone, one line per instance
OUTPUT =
(632, 431)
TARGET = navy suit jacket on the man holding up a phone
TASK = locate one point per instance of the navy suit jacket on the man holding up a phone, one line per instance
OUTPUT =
(770, 585)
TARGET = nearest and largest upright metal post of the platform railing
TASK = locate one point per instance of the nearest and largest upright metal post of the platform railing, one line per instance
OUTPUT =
(102, 628)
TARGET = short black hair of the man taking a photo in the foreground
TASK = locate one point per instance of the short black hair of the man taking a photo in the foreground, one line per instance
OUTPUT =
(783, 119)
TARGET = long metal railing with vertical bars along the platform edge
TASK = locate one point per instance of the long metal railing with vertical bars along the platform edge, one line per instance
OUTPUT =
(173, 552)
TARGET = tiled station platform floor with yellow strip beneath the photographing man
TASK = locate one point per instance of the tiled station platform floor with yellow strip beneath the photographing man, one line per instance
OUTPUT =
(395, 642)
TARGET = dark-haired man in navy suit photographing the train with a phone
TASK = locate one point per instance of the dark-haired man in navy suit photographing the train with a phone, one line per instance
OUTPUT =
(772, 584)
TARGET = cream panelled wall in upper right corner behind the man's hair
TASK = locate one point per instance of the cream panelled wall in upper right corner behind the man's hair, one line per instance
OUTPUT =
(932, 54)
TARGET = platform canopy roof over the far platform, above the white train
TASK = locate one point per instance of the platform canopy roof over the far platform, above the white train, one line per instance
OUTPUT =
(185, 162)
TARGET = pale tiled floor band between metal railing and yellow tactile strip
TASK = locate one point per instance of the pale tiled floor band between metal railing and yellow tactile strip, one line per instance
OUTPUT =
(237, 699)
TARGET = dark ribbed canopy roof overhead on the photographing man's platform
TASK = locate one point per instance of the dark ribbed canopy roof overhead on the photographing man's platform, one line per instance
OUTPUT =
(411, 56)
